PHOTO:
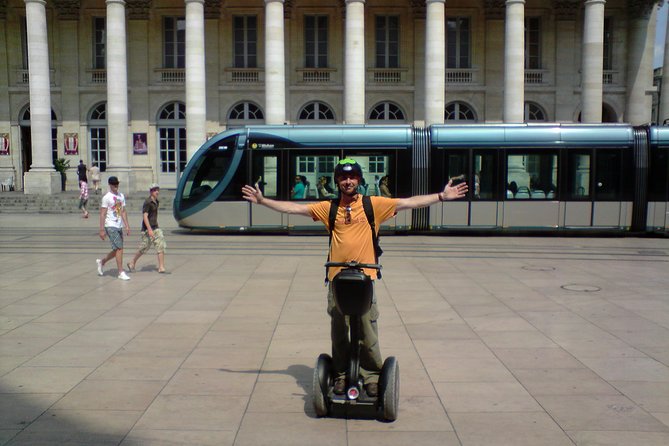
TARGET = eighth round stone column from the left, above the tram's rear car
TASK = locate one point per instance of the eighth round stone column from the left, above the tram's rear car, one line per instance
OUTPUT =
(592, 65)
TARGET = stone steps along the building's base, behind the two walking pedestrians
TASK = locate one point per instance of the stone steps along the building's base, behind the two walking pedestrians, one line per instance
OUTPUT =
(68, 202)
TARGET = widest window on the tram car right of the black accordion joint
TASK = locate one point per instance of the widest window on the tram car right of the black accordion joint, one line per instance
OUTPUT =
(531, 176)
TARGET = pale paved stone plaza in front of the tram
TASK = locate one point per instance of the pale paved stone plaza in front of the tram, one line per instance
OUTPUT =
(501, 341)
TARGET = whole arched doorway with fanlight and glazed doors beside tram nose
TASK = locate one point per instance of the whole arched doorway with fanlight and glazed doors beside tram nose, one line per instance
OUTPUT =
(172, 152)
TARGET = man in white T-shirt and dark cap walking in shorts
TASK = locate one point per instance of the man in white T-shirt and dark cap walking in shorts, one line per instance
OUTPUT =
(113, 219)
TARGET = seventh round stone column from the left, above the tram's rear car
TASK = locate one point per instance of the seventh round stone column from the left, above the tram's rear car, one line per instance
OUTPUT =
(514, 61)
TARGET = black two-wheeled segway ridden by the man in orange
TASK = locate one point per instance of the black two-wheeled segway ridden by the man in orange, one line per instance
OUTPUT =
(353, 293)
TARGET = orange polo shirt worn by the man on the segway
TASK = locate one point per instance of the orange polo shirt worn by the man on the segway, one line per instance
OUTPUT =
(353, 241)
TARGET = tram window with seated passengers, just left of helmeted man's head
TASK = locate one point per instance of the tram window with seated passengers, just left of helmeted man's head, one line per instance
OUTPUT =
(313, 177)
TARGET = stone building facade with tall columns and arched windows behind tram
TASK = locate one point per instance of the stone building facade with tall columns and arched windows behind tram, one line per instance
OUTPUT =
(138, 85)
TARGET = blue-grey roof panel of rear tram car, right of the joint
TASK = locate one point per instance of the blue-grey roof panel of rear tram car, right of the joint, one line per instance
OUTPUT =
(532, 135)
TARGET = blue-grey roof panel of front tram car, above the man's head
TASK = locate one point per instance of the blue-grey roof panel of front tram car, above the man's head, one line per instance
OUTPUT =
(341, 136)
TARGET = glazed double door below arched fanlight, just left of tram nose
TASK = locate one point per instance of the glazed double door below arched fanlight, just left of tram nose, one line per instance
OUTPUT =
(173, 155)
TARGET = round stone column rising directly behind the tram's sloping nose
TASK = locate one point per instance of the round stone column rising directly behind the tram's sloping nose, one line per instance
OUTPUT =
(196, 98)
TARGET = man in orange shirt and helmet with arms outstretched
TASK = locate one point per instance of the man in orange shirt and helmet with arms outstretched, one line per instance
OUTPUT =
(352, 241)
